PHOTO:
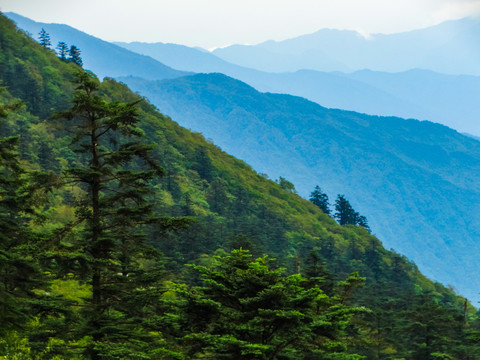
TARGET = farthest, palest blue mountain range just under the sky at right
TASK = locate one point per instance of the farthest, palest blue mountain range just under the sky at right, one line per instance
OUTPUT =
(450, 47)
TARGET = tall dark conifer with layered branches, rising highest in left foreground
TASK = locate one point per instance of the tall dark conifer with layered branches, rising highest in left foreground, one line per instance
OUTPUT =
(123, 268)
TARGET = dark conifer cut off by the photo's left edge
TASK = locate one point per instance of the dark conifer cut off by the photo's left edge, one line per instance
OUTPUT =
(23, 285)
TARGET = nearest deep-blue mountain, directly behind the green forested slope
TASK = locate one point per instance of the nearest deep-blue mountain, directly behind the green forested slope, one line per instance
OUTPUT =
(415, 181)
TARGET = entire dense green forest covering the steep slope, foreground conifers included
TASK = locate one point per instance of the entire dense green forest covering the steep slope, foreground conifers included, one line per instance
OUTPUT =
(125, 236)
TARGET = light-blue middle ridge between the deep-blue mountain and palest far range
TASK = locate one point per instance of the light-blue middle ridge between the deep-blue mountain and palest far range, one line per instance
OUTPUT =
(421, 94)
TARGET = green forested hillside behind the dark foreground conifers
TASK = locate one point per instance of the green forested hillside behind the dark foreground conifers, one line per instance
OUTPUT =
(233, 207)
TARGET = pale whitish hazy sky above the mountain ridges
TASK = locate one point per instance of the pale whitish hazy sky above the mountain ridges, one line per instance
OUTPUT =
(215, 23)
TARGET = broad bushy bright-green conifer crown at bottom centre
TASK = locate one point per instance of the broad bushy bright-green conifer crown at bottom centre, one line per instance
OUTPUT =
(245, 309)
